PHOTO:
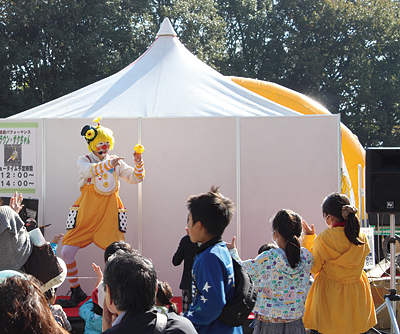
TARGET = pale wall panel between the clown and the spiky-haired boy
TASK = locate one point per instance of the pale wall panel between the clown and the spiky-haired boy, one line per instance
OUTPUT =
(183, 157)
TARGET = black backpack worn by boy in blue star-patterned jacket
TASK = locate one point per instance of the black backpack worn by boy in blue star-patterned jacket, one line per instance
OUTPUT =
(236, 311)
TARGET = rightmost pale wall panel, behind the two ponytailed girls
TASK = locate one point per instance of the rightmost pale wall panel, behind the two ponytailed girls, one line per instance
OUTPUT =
(286, 163)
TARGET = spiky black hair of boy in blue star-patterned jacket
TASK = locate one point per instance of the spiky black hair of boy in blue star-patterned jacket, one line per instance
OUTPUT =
(213, 210)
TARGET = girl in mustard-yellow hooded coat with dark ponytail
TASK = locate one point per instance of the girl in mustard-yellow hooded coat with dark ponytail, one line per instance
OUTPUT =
(340, 299)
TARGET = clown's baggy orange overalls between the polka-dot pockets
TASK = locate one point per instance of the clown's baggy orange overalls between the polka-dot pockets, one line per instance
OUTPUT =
(97, 219)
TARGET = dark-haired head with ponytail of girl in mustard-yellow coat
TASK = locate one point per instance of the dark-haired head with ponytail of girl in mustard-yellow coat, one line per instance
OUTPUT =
(338, 206)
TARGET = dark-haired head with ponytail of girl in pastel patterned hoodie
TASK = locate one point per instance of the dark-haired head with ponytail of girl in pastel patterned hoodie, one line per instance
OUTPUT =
(288, 224)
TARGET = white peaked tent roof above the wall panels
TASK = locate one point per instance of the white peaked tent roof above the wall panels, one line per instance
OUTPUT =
(166, 81)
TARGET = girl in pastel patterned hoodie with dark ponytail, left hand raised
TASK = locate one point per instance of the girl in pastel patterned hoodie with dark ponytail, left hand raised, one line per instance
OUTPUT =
(281, 276)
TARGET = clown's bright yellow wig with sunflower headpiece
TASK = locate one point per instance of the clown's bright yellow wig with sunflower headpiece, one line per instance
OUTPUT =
(98, 135)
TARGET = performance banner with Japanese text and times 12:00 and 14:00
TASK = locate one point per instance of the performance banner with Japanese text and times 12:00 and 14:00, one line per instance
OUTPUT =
(18, 166)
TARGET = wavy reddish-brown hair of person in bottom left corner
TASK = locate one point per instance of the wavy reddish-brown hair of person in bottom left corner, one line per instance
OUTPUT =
(24, 308)
